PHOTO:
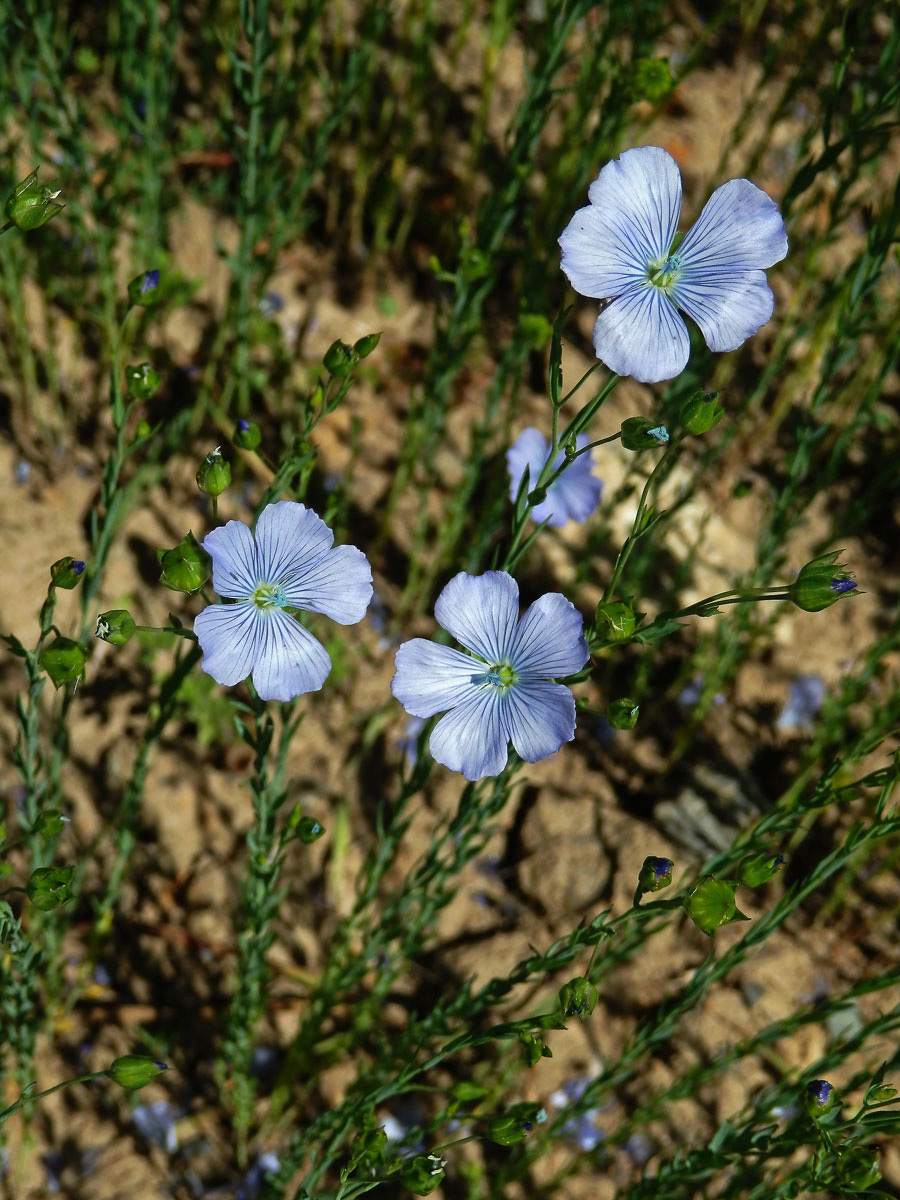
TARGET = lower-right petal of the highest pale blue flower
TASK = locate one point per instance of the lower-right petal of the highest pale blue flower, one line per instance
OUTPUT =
(729, 307)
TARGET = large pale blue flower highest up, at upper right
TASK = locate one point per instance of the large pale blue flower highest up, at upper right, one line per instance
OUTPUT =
(622, 249)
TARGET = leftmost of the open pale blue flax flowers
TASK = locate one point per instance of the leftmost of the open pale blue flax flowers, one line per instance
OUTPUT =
(291, 565)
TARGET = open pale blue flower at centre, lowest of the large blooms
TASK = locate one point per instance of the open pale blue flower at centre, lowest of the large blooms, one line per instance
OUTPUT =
(501, 691)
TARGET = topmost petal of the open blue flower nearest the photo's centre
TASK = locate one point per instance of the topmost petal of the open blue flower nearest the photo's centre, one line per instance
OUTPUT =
(481, 611)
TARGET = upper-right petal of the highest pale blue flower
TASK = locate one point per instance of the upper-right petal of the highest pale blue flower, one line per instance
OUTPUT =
(740, 230)
